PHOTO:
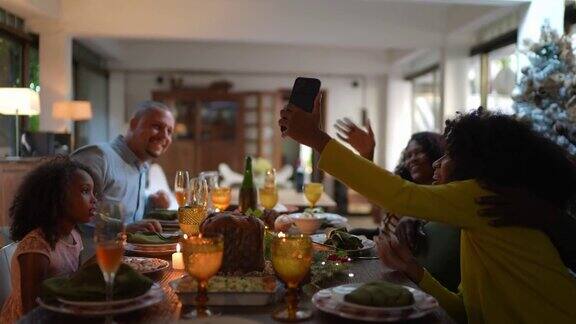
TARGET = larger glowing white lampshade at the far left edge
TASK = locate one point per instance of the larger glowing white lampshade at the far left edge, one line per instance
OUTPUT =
(19, 101)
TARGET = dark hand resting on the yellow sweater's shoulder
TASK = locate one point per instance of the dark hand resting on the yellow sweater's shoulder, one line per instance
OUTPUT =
(516, 207)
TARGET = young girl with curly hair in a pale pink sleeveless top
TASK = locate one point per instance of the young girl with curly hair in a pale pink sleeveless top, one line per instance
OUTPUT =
(51, 201)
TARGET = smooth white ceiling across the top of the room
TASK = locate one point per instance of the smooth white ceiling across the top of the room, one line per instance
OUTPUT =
(366, 30)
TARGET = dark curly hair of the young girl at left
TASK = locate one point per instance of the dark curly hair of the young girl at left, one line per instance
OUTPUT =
(41, 198)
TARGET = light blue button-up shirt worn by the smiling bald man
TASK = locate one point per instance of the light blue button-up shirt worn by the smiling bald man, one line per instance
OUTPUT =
(121, 176)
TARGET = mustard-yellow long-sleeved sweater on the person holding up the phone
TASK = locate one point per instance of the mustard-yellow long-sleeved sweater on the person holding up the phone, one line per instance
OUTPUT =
(509, 275)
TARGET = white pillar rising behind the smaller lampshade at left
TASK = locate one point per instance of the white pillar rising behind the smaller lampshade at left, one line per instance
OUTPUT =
(55, 77)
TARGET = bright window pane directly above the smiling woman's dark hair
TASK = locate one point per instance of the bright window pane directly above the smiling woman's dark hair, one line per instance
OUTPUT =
(426, 109)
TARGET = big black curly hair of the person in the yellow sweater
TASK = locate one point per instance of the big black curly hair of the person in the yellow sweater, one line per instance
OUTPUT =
(500, 150)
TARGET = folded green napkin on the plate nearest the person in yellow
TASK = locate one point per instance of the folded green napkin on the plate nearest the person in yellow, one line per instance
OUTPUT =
(380, 294)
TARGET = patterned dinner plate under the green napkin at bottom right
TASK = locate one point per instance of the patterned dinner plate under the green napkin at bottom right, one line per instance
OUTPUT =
(332, 302)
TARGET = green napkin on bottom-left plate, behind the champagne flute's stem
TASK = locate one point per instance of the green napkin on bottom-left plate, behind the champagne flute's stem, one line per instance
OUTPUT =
(88, 285)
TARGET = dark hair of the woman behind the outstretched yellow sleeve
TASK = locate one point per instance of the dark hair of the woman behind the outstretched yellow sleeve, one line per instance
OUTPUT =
(433, 145)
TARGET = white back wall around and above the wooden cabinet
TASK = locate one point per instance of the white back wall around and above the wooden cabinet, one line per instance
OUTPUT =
(342, 100)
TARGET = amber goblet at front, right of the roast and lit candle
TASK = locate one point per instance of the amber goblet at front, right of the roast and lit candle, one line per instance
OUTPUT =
(291, 259)
